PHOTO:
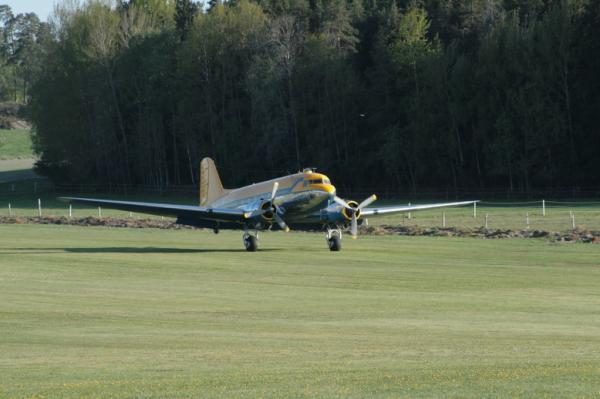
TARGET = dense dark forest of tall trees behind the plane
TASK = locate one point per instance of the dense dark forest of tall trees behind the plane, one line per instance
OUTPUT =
(445, 94)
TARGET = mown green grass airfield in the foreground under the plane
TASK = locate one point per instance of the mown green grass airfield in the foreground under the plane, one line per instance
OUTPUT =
(97, 312)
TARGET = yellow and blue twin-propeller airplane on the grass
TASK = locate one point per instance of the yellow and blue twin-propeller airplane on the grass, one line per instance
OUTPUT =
(303, 201)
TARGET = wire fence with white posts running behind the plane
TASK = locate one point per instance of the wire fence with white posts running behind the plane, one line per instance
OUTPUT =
(529, 215)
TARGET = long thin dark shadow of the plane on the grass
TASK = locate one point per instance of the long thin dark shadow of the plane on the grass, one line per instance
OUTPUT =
(128, 250)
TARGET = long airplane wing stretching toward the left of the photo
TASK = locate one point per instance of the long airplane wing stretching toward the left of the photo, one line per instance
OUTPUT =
(173, 210)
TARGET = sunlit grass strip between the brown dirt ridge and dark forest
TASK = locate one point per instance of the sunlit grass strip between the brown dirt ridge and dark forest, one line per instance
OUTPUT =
(500, 215)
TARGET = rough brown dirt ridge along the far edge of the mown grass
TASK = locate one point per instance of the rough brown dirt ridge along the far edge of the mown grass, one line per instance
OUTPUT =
(586, 236)
